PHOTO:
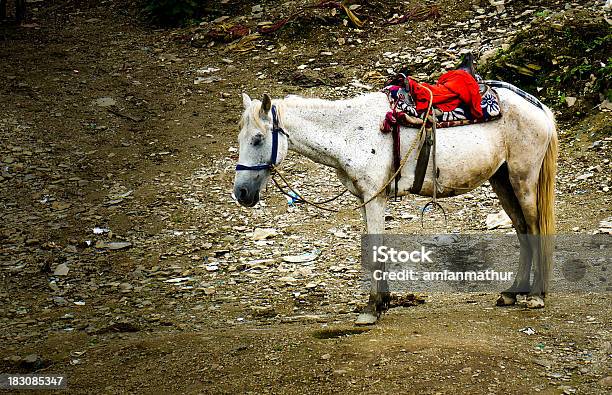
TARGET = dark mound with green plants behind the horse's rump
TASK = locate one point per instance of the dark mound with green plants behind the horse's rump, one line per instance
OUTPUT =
(561, 55)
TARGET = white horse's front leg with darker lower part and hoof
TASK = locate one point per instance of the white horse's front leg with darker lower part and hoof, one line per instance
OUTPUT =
(379, 289)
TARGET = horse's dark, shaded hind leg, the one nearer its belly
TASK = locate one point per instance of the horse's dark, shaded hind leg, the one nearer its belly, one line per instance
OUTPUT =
(503, 188)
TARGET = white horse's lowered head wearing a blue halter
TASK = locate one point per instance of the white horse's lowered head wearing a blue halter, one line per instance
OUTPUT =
(260, 147)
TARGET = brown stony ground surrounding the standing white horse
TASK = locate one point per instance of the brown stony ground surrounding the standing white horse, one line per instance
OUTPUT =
(126, 264)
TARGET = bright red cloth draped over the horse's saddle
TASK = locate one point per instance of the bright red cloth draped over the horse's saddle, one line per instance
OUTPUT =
(452, 89)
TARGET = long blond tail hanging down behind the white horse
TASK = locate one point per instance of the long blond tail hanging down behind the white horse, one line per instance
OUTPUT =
(546, 201)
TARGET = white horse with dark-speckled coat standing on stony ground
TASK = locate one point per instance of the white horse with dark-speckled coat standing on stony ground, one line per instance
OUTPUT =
(516, 153)
